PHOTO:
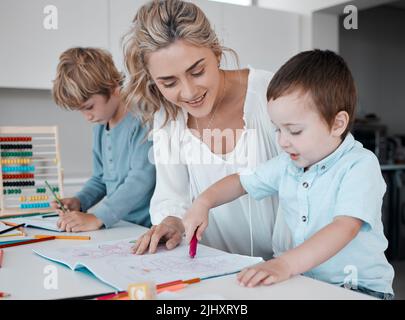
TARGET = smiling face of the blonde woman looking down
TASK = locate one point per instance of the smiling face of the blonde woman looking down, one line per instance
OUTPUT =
(187, 75)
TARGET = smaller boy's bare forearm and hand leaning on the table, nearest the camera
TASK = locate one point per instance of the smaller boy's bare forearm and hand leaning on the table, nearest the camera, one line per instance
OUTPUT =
(320, 247)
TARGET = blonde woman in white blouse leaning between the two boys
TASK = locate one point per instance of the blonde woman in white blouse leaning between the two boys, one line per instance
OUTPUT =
(208, 123)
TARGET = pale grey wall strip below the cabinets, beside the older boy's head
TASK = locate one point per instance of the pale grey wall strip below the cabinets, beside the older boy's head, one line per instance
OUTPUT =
(22, 107)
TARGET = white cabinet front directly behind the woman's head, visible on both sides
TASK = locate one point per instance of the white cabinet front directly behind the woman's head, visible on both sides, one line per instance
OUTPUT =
(262, 38)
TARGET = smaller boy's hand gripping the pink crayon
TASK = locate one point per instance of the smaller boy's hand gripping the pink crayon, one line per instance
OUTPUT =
(196, 220)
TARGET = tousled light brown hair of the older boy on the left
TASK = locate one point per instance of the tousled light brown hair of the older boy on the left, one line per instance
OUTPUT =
(83, 72)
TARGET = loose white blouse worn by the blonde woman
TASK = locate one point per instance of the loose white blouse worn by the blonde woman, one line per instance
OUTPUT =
(185, 167)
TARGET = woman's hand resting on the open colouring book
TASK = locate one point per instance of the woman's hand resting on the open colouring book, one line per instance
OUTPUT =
(170, 230)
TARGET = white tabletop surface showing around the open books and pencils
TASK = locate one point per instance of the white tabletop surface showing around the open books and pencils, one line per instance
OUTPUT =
(23, 274)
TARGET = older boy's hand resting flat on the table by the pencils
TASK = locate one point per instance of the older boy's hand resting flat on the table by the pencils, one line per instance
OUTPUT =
(76, 221)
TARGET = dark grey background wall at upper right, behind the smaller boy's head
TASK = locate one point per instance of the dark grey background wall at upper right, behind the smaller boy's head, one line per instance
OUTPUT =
(376, 55)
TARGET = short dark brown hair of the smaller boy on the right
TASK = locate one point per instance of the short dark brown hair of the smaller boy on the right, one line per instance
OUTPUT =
(326, 76)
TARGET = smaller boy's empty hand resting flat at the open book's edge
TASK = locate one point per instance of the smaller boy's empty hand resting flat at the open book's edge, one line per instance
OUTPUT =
(269, 272)
